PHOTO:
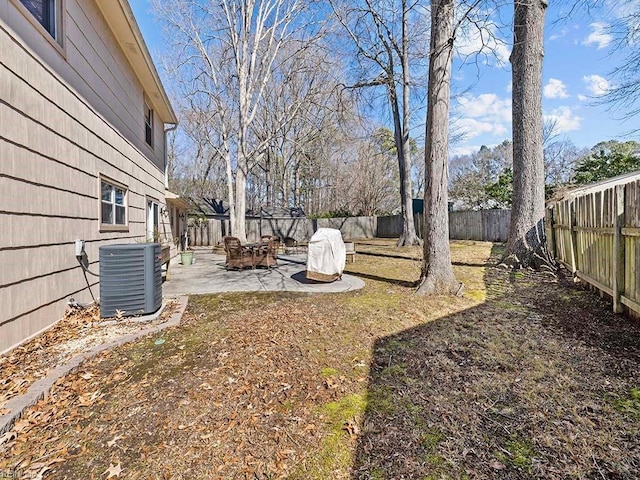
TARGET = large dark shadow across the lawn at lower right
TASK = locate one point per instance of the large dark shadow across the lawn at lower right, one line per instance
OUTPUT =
(533, 383)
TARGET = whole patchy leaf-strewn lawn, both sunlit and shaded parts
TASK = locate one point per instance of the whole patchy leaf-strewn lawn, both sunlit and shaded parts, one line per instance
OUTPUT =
(527, 376)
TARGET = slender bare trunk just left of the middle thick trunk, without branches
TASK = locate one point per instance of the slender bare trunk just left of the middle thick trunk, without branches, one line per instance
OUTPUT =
(409, 235)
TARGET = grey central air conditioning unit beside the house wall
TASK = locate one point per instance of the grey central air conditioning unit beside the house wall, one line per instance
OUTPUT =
(130, 279)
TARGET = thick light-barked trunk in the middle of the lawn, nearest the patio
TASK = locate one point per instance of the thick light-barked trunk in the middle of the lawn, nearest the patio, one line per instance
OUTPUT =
(437, 272)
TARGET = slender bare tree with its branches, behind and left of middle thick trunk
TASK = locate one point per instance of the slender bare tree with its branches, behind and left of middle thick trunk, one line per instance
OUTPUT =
(379, 30)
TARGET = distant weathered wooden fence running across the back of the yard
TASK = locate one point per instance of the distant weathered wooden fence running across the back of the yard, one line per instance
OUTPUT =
(486, 225)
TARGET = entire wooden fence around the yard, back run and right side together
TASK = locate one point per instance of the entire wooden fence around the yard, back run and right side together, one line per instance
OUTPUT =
(595, 232)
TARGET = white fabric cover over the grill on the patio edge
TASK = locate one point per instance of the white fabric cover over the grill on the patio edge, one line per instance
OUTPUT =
(326, 255)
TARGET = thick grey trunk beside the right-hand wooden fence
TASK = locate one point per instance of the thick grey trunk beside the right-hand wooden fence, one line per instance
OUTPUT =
(526, 246)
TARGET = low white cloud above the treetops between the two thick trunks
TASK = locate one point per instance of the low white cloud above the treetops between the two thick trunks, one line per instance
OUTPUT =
(484, 114)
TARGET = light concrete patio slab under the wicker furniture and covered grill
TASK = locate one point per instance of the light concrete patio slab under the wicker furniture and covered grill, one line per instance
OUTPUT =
(209, 275)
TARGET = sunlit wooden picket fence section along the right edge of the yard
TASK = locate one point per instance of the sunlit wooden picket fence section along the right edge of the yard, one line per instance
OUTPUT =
(595, 232)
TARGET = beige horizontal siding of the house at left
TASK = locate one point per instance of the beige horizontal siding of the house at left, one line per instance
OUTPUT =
(64, 123)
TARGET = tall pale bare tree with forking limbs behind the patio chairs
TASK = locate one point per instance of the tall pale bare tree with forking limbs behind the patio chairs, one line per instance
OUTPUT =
(228, 52)
